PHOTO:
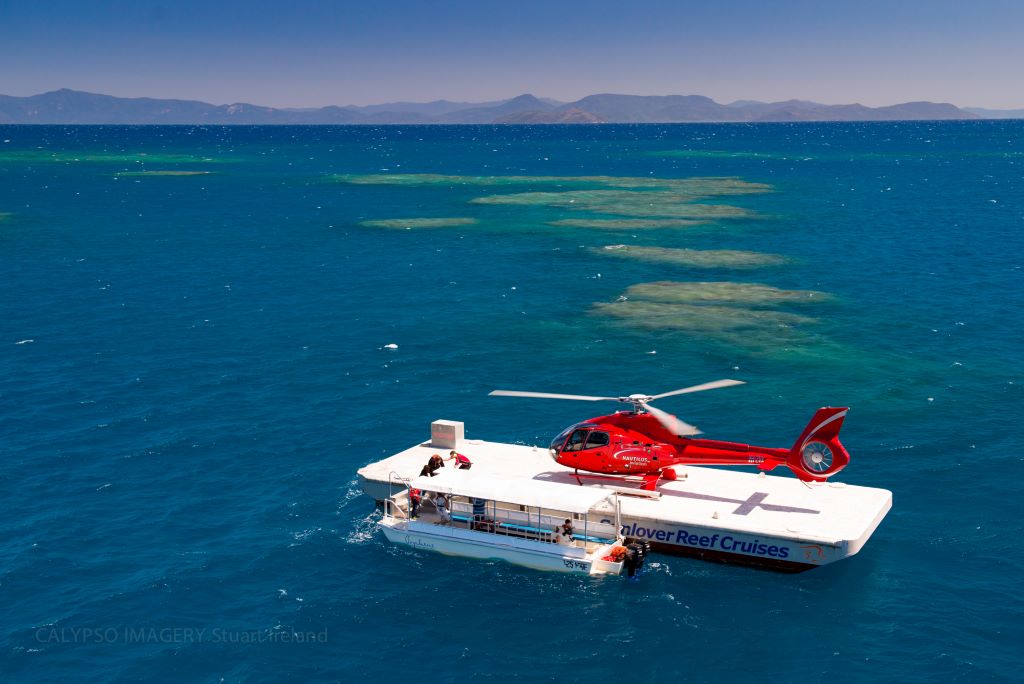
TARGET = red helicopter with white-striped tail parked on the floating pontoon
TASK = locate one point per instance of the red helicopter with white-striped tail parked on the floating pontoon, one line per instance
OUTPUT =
(647, 442)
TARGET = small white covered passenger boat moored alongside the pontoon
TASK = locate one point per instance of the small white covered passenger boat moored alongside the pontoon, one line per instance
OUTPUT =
(544, 526)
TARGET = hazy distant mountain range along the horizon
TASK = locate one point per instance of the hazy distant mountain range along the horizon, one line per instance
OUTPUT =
(72, 107)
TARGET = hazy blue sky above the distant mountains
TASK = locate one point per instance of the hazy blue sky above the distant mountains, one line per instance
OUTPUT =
(303, 54)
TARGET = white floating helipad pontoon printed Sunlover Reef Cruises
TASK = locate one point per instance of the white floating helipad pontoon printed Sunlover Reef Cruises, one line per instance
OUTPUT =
(732, 516)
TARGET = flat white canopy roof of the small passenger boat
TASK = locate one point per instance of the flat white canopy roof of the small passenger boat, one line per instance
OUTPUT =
(522, 491)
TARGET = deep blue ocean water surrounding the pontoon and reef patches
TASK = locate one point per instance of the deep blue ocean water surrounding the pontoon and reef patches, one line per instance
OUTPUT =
(192, 369)
